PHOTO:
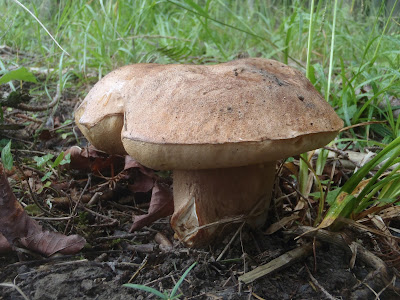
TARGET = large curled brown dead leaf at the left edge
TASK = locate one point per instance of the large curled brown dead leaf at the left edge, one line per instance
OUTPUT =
(17, 228)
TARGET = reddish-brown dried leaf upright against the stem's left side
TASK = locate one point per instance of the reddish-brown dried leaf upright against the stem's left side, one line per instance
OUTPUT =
(161, 205)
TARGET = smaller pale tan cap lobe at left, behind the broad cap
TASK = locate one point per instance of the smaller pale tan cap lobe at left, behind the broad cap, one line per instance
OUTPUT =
(100, 116)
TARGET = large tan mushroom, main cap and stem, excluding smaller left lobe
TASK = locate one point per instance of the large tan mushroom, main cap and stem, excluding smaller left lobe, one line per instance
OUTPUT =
(221, 129)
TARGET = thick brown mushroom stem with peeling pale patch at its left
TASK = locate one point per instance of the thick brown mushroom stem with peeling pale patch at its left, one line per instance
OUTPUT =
(202, 197)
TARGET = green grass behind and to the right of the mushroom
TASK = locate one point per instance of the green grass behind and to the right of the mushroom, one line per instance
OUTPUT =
(356, 68)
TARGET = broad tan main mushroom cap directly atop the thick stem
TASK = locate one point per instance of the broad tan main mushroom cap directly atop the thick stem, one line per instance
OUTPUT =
(238, 113)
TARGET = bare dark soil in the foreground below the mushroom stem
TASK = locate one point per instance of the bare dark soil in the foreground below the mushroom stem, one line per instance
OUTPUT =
(101, 274)
